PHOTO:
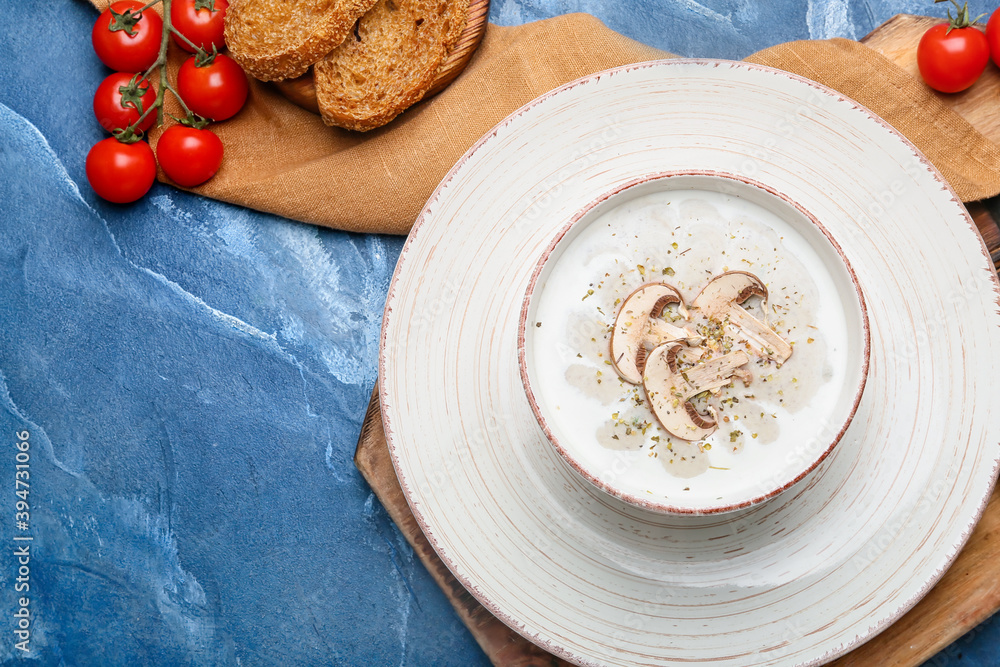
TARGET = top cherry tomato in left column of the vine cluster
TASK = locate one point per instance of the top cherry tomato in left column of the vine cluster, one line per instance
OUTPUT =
(120, 50)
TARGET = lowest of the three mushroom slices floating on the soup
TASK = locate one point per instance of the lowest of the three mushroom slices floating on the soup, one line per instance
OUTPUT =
(670, 389)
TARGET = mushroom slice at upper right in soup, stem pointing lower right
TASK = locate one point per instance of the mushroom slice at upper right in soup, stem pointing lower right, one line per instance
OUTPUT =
(720, 301)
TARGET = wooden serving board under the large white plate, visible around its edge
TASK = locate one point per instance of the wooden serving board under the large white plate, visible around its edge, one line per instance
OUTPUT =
(967, 594)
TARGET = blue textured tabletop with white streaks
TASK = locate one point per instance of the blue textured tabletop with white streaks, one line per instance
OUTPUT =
(193, 377)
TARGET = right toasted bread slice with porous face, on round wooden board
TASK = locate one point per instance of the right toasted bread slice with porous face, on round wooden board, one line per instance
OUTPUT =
(389, 63)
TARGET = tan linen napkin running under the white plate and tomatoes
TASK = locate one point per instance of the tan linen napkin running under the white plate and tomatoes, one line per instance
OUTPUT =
(284, 160)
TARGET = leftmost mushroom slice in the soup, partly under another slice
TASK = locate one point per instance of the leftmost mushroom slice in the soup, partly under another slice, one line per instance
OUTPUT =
(639, 328)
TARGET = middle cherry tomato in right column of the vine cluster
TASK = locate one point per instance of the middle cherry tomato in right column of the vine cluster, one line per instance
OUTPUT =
(216, 91)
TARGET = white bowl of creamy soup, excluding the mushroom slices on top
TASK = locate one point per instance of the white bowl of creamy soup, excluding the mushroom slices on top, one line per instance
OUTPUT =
(682, 229)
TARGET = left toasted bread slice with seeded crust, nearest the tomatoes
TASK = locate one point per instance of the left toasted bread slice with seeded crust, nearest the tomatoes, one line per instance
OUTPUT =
(279, 39)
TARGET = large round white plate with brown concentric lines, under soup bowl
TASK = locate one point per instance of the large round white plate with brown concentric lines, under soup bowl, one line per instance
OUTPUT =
(796, 580)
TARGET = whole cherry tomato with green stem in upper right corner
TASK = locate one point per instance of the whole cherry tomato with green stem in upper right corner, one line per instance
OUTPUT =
(952, 61)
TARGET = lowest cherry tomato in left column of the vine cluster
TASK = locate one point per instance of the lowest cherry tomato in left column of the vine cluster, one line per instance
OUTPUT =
(121, 173)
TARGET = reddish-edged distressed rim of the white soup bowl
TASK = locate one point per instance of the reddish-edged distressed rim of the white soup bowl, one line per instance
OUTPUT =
(593, 477)
